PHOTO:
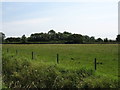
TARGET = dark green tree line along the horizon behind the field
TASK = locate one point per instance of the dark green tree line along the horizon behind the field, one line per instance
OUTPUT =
(54, 38)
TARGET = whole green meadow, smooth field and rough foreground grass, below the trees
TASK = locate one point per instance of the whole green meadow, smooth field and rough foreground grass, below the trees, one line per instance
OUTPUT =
(75, 67)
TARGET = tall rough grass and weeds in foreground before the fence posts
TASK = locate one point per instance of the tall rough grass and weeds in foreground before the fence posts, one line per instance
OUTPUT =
(25, 73)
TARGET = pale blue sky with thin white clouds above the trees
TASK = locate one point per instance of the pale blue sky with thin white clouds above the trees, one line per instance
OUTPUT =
(98, 19)
